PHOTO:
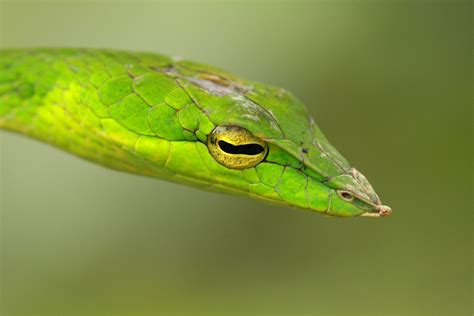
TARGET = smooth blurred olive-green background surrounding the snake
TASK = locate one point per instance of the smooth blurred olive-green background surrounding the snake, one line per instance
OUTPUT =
(388, 82)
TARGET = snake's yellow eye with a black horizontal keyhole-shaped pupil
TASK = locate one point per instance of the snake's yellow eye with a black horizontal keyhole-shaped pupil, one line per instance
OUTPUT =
(235, 147)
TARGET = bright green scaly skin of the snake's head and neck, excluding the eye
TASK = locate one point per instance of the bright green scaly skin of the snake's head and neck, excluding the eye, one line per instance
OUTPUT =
(151, 115)
